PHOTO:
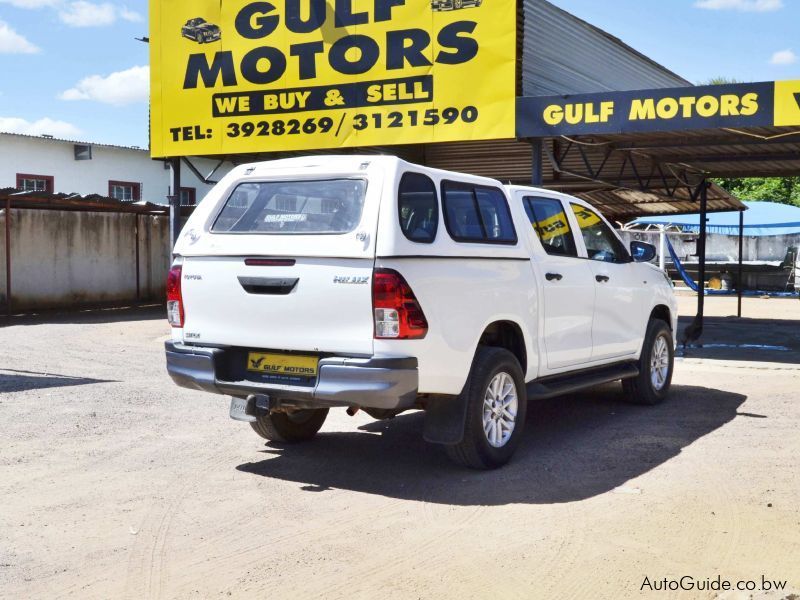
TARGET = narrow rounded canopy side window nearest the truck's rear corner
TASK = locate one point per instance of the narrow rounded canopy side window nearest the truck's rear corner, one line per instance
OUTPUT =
(418, 208)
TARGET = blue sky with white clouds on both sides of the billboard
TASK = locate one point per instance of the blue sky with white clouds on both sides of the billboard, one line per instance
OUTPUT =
(73, 68)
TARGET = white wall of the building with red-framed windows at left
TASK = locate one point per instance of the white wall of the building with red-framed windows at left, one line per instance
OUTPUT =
(56, 158)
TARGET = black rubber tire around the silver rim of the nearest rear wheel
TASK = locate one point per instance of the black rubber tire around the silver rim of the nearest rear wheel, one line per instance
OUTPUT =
(475, 450)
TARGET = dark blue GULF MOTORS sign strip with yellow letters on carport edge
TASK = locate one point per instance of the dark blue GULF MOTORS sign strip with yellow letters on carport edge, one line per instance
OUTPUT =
(770, 104)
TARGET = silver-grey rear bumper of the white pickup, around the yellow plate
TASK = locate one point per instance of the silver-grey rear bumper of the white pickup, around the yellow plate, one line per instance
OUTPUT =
(389, 383)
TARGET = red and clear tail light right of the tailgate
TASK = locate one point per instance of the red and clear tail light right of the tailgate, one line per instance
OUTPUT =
(398, 315)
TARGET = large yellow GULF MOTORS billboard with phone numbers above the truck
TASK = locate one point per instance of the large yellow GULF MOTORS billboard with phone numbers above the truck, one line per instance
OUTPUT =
(232, 76)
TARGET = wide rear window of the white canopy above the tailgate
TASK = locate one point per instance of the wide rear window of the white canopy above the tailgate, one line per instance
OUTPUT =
(331, 206)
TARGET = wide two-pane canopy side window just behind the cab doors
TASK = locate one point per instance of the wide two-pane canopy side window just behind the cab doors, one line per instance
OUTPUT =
(477, 214)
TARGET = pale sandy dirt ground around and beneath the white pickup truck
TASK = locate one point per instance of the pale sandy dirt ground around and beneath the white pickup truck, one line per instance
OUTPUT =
(116, 484)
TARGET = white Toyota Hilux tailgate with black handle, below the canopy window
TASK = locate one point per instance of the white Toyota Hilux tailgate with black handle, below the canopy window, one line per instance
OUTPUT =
(313, 305)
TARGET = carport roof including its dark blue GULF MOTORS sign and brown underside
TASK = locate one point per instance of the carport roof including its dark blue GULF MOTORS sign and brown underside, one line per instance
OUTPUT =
(646, 152)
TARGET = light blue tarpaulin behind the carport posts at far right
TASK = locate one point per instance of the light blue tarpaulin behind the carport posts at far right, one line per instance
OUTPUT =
(760, 218)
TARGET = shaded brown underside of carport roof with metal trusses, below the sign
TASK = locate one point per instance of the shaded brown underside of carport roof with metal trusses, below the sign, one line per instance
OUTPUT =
(634, 174)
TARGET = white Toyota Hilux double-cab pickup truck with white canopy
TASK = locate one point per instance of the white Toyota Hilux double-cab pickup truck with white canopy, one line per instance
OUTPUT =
(369, 283)
